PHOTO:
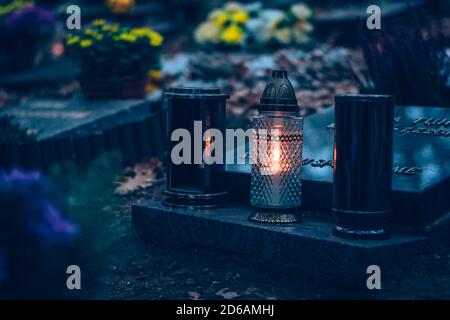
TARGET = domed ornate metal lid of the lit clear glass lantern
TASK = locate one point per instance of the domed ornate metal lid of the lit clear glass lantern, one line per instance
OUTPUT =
(278, 95)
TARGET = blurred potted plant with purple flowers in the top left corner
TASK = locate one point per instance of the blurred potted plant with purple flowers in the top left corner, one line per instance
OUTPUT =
(27, 31)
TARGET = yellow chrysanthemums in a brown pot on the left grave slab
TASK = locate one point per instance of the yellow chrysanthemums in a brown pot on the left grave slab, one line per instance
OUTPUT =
(115, 60)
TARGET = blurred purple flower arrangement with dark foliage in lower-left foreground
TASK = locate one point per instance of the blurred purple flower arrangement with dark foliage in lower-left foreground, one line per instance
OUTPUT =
(33, 233)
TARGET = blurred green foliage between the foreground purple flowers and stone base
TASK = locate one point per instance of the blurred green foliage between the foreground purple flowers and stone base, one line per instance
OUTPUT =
(88, 195)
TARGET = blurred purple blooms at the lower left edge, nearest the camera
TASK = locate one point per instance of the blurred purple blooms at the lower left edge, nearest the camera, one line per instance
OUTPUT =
(29, 222)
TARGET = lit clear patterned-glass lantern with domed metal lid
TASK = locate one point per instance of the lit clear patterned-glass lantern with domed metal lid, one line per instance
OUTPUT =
(276, 155)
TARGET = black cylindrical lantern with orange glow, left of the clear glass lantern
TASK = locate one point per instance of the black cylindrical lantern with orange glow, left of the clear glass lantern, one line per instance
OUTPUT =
(195, 123)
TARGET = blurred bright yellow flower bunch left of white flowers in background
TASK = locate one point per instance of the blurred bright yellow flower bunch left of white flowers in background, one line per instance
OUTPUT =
(225, 27)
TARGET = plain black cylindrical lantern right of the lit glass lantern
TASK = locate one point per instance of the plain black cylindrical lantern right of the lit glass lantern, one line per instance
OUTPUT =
(363, 165)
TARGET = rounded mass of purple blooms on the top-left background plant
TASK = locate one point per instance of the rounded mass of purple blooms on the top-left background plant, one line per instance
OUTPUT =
(31, 20)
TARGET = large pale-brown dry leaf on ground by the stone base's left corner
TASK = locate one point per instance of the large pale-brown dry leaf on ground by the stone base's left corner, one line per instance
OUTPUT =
(142, 175)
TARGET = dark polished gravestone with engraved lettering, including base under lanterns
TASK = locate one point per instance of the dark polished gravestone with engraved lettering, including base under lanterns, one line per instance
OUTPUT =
(420, 193)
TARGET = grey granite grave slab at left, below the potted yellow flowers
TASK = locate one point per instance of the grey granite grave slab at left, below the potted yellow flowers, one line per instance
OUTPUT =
(80, 130)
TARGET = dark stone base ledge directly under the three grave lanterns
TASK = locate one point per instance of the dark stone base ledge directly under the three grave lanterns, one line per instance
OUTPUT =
(308, 245)
